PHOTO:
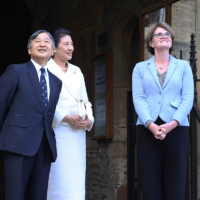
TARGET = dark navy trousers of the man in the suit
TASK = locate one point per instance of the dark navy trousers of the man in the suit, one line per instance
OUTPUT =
(26, 177)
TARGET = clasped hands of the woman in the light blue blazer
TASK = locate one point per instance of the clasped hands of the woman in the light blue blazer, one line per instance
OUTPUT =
(161, 131)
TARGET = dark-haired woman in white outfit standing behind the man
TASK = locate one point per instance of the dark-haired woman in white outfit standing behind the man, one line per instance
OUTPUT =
(67, 175)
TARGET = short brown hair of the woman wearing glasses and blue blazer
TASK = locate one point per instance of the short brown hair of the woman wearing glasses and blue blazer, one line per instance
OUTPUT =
(164, 25)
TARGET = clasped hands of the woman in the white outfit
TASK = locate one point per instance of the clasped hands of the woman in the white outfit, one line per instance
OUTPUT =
(76, 122)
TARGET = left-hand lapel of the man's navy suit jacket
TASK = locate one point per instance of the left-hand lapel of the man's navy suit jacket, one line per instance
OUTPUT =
(33, 76)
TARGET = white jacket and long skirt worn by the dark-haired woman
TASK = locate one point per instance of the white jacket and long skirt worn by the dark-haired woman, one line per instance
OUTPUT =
(67, 174)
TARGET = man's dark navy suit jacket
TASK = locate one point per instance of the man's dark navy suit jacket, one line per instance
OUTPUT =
(22, 117)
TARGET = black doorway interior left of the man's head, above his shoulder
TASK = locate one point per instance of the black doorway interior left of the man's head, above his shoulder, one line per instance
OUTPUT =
(15, 29)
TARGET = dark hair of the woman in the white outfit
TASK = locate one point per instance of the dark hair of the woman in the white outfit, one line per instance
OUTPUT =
(60, 33)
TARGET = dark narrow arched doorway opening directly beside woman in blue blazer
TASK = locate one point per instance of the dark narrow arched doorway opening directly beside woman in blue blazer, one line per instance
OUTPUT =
(131, 37)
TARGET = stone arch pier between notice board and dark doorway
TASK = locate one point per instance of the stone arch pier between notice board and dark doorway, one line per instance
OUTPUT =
(123, 33)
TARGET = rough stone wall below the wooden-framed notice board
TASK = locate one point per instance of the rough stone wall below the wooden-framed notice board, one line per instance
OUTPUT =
(106, 171)
